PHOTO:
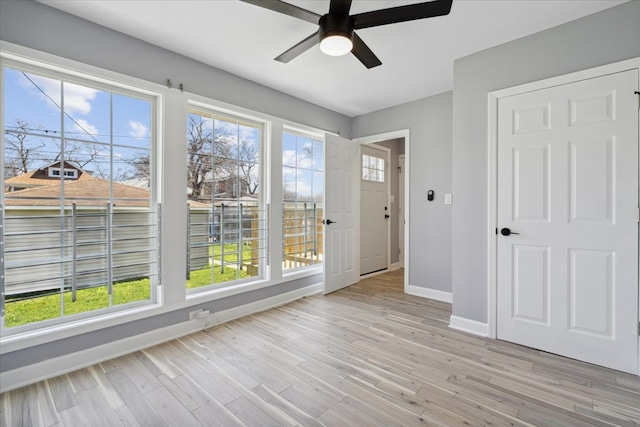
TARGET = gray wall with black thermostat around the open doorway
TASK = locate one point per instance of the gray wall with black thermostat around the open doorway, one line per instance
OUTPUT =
(430, 123)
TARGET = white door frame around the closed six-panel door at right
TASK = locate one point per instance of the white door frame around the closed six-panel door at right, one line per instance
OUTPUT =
(492, 163)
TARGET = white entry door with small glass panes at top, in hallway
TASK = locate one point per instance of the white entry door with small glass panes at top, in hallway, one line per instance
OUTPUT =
(374, 210)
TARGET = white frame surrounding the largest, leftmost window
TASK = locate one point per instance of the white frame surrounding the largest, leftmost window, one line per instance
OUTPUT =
(51, 66)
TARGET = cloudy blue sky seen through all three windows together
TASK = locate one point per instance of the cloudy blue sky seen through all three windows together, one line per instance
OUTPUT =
(100, 123)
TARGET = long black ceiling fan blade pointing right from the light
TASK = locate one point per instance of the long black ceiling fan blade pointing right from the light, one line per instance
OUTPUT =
(401, 14)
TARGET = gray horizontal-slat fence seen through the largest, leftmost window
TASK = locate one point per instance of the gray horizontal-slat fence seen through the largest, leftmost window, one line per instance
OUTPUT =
(76, 248)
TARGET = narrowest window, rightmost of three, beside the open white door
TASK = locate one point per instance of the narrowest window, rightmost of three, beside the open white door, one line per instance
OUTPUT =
(303, 195)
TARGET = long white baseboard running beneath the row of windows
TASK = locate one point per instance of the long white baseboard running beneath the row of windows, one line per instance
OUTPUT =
(26, 375)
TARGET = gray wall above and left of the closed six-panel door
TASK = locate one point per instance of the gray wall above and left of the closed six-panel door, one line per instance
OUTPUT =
(609, 36)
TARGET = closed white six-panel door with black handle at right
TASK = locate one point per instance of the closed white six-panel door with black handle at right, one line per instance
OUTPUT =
(568, 184)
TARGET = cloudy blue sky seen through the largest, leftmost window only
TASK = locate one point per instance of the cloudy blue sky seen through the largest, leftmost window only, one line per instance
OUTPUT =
(102, 122)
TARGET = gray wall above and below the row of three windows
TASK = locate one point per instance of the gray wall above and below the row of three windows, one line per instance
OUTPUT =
(34, 25)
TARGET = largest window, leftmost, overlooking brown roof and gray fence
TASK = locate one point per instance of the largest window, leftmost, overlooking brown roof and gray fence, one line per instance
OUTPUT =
(87, 244)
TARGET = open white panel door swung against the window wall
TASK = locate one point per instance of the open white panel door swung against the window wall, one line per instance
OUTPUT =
(342, 213)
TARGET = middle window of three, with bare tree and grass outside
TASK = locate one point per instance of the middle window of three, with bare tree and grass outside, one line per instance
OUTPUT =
(227, 230)
